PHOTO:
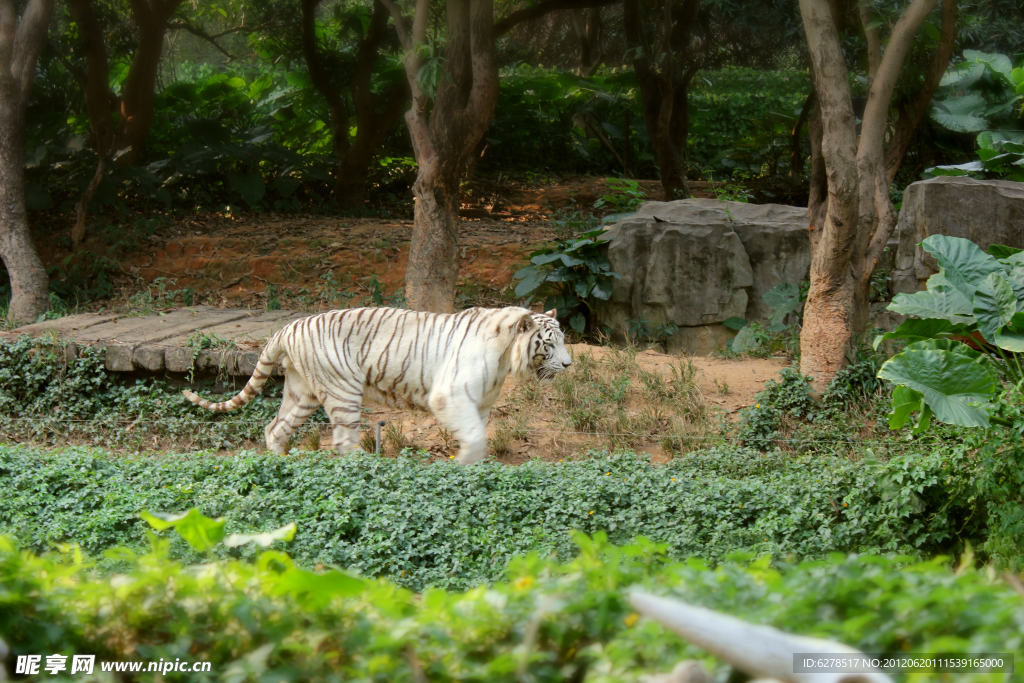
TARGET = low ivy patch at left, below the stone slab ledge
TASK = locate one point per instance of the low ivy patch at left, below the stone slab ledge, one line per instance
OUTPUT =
(49, 395)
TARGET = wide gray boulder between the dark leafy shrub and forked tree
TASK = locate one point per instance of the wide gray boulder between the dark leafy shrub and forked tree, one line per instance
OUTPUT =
(699, 263)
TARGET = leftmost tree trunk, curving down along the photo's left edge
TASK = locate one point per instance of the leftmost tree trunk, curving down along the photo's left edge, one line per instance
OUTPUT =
(20, 45)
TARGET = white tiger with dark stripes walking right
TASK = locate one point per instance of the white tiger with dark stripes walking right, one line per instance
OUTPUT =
(453, 365)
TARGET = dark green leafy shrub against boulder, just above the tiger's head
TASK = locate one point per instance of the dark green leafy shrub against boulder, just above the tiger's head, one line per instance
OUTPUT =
(578, 275)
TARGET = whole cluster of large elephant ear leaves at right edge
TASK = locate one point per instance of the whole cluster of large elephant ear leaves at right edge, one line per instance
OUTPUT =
(974, 296)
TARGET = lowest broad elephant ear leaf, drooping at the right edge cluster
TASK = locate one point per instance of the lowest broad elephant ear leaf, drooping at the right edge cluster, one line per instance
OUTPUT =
(956, 387)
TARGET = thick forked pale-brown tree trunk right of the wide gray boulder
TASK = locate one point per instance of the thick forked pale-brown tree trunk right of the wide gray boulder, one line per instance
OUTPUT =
(851, 224)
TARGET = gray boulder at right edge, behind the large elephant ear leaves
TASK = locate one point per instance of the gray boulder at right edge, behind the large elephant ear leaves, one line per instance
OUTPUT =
(987, 212)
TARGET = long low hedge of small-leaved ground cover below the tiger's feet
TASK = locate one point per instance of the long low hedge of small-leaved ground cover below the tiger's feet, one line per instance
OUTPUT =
(455, 528)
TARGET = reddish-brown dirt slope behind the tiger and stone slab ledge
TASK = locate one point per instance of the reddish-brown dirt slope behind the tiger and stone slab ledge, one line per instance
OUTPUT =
(257, 261)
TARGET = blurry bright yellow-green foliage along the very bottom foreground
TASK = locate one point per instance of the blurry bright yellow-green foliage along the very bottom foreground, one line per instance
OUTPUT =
(271, 621)
